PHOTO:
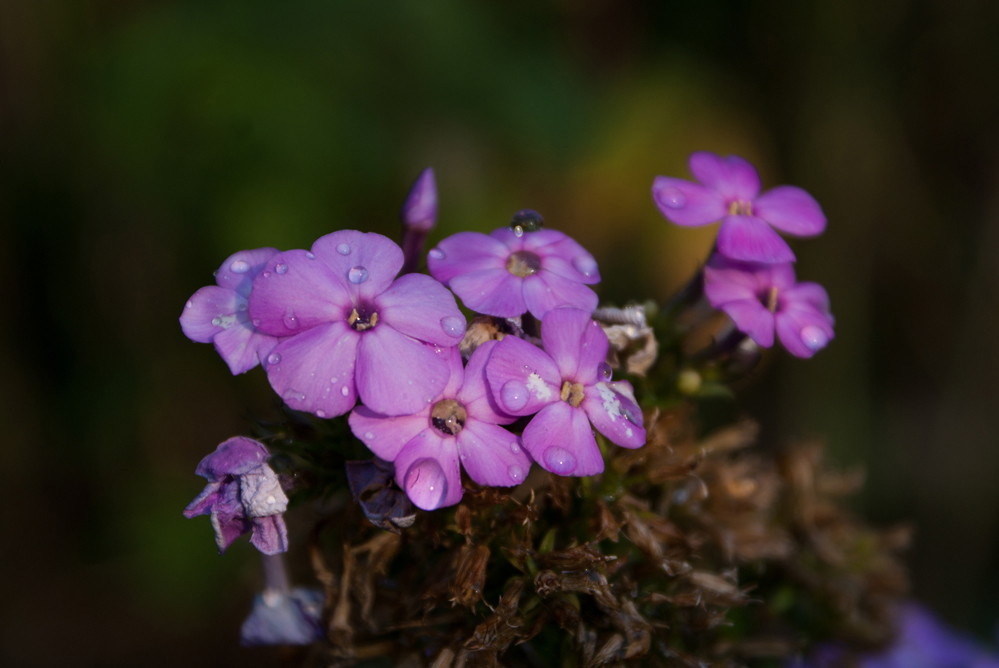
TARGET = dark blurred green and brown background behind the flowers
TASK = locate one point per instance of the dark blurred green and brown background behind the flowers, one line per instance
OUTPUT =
(142, 142)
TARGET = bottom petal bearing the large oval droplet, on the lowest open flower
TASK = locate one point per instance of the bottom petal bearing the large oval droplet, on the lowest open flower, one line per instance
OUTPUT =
(427, 468)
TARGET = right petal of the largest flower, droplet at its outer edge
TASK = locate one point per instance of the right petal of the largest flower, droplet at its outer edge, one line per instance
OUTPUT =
(420, 307)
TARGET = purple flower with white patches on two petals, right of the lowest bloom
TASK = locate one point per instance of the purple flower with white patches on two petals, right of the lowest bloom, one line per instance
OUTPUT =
(568, 386)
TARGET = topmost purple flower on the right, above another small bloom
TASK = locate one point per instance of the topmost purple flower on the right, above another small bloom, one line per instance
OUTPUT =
(729, 191)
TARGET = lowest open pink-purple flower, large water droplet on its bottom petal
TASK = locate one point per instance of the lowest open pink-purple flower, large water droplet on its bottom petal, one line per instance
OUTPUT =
(461, 425)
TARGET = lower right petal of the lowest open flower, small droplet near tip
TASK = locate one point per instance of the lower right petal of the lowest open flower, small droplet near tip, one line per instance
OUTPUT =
(492, 456)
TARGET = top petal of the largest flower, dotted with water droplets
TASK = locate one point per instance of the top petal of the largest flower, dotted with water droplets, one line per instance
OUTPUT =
(365, 263)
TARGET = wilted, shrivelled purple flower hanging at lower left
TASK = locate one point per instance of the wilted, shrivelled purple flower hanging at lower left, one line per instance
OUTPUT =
(243, 494)
